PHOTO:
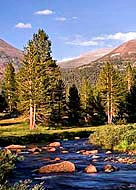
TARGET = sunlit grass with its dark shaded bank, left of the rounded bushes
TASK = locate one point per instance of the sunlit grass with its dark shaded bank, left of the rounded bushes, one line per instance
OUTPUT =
(16, 131)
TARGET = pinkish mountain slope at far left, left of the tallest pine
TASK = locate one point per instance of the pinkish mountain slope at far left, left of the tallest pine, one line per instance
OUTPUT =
(9, 53)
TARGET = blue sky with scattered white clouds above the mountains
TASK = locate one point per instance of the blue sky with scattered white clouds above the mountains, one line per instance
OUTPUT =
(73, 26)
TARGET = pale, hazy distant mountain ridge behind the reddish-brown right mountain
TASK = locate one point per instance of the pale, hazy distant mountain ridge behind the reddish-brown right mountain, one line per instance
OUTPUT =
(85, 58)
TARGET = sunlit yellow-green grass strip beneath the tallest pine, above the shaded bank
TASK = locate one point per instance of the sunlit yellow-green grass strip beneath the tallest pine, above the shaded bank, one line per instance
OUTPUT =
(19, 127)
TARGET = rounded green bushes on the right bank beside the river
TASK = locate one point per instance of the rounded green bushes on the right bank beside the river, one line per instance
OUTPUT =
(115, 137)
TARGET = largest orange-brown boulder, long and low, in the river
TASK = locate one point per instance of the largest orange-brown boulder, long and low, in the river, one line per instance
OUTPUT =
(65, 167)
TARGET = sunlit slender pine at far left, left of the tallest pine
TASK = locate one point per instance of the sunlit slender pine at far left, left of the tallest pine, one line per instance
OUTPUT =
(8, 86)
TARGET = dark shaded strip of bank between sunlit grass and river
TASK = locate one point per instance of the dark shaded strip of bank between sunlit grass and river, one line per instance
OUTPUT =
(41, 138)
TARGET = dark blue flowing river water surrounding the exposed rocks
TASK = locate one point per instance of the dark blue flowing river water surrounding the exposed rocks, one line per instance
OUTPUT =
(124, 179)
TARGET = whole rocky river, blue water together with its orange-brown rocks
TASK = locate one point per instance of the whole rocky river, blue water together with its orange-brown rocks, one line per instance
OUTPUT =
(75, 165)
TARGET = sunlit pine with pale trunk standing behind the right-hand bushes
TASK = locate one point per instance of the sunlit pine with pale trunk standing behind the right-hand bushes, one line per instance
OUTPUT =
(111, 88)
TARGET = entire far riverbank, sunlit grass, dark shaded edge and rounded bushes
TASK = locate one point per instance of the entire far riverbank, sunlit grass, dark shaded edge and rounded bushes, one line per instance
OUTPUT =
(114, 137)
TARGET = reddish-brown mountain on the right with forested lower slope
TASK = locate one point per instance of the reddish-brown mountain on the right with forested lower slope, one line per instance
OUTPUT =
(119, 57)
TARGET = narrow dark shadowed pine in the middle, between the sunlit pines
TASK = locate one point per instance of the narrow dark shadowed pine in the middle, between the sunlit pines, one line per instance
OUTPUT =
(74, 108)
